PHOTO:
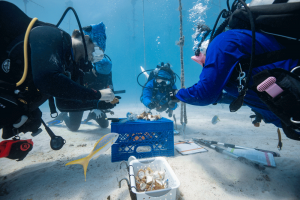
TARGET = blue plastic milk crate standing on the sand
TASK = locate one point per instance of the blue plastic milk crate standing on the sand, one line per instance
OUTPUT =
(154, 137)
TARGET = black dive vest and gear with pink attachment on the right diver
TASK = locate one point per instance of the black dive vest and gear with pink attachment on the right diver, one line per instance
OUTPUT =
(277, 88)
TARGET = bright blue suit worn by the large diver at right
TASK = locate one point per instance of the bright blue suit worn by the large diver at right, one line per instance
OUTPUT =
(223, 54)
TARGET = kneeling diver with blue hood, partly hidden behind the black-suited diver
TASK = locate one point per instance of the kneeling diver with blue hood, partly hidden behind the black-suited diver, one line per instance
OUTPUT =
(99, 77)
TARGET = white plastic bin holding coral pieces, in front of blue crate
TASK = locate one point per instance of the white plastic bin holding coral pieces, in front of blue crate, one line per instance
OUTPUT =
(158, 163)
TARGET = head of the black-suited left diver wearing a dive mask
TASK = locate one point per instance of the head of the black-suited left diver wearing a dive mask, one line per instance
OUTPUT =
(78, 46)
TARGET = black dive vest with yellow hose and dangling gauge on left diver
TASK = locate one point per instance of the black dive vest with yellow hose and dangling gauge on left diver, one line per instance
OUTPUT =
(19, 102)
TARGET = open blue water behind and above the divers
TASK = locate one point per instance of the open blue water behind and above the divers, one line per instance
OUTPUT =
(125, 44)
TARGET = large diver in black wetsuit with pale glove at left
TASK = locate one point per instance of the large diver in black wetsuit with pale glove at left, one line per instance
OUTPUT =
(55, 61)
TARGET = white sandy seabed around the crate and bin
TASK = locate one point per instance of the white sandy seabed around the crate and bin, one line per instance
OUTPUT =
(43, 174)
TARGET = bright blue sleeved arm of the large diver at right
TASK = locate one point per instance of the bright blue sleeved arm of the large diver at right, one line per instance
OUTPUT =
(222, 55)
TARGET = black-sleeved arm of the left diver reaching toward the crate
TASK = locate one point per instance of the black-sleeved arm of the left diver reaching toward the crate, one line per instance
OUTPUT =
(47, 66)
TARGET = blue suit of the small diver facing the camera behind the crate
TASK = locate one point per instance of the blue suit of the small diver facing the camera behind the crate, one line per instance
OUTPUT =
(159, 97)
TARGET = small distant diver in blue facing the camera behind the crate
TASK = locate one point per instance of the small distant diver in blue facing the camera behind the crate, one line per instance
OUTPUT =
(156, 91)
